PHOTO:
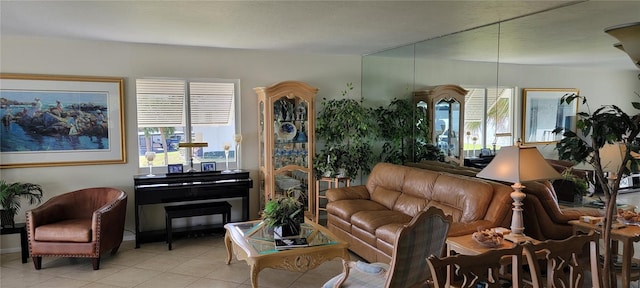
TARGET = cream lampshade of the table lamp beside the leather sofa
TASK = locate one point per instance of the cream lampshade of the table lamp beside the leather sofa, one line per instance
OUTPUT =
(517, 164)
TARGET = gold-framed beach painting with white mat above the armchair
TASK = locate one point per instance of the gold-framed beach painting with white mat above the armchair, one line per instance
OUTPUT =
(50, 120)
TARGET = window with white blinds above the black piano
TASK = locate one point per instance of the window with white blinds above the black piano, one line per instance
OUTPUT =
(173, 111)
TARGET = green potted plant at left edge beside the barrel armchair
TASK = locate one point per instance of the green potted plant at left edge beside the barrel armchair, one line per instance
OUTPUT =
(10, 194)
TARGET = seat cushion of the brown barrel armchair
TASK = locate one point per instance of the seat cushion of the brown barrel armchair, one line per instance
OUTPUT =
(72, 230)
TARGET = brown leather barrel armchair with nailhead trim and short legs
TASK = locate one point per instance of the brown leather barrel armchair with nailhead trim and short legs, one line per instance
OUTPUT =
(83, 223)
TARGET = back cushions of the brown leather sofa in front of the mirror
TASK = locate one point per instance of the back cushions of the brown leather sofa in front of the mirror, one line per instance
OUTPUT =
(410, 190)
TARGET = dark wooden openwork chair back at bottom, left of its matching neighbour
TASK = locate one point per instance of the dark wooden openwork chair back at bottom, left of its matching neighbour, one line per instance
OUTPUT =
(486, 269)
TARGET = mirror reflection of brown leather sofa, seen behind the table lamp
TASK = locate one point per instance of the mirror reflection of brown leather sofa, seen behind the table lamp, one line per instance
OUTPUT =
(543, 217)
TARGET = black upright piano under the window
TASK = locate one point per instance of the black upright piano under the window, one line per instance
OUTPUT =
(191, 186)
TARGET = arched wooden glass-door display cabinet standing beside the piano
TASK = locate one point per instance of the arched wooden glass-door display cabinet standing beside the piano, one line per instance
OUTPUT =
(286, 141)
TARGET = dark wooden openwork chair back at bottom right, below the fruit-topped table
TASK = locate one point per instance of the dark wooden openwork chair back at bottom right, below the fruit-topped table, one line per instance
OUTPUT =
(567, 260)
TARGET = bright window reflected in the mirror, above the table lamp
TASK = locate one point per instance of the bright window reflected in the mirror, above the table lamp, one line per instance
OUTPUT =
(489, 119)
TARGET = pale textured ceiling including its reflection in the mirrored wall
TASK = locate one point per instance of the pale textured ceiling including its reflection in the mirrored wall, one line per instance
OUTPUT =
(568, 32)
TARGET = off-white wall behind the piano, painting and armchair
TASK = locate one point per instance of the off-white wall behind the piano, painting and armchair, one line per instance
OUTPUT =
(329, 73)
